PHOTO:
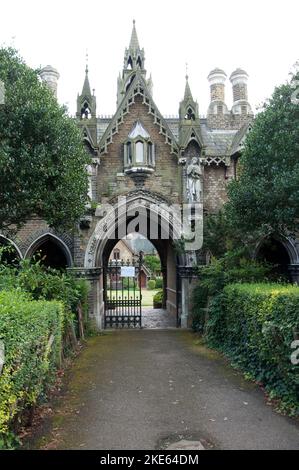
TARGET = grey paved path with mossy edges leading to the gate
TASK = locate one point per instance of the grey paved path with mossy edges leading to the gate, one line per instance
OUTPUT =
(147, 389)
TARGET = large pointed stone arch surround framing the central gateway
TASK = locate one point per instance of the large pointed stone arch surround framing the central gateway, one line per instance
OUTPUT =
(158, 228)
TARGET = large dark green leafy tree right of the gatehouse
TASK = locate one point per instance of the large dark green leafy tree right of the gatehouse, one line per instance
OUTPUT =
(265, 197)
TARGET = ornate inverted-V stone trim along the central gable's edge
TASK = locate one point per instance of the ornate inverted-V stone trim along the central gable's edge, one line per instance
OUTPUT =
(138, 87)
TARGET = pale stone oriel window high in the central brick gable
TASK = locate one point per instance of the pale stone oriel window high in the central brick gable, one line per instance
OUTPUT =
(139, 153)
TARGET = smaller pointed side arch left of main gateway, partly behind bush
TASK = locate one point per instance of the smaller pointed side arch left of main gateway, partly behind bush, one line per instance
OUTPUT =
(52, 241)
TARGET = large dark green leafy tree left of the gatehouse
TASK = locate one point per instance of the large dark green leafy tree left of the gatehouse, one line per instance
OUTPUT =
(42, 157)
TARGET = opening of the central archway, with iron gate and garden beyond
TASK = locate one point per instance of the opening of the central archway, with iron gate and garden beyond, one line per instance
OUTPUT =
(135, 286)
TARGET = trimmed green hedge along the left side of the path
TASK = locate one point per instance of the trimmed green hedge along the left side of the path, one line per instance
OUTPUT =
(32, 335)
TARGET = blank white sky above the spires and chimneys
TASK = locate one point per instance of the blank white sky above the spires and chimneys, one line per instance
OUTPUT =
(259, 36)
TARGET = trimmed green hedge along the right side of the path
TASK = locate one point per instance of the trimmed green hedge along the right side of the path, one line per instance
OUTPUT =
(254, 325)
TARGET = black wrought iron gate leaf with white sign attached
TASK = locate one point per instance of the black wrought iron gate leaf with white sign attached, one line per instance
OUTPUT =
(122, 294)
